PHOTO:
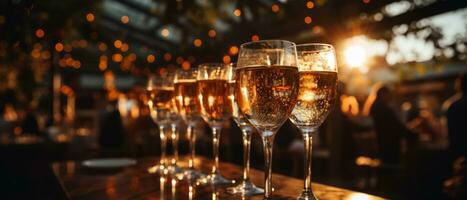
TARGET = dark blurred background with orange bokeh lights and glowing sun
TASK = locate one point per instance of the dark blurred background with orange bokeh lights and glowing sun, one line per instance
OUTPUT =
(73, 70)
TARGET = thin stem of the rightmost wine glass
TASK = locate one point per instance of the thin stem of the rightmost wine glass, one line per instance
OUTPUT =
(308, 141)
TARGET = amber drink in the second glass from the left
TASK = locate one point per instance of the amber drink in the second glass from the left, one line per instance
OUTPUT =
(186, 99)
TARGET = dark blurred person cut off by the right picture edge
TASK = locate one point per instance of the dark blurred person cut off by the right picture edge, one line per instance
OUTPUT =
(457, 121)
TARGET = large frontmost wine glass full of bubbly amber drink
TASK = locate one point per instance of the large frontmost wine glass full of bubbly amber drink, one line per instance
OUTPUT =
(266, 91)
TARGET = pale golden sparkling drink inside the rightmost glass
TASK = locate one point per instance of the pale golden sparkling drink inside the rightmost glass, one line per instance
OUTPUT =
(316, 98)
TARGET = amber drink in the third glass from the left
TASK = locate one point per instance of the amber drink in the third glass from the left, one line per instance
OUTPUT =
(215, 100)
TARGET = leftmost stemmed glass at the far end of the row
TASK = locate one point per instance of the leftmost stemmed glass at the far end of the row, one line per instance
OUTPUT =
(160, 92)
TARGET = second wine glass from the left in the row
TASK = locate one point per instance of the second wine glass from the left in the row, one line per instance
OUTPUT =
(186, 101)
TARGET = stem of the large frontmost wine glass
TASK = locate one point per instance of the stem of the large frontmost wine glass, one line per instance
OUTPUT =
(268, 142)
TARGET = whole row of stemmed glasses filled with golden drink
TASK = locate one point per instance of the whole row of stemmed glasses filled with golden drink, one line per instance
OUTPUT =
(272, 81)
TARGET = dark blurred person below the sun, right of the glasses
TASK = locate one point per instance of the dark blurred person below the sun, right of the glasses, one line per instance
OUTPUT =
(390, 130)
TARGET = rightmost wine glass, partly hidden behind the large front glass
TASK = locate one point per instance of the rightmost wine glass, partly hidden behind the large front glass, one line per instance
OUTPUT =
(316, 97)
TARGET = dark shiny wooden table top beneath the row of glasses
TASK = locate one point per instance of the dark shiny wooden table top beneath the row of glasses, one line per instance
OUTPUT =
(136, 183)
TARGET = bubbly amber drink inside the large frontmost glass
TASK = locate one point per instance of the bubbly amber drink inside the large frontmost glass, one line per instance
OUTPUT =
(267, 94)
